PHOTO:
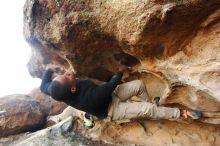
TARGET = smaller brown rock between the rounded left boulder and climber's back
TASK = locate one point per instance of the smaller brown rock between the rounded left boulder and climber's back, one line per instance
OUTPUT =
(48, 105)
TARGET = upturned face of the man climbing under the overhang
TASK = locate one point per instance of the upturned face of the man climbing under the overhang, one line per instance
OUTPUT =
(66, 79)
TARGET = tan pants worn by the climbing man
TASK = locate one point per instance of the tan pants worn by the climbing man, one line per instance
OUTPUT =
(123, 108)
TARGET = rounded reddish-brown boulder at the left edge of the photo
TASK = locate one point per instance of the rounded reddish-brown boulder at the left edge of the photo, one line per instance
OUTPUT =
(19, 113)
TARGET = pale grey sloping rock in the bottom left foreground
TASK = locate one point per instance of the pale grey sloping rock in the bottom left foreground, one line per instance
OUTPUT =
(60, 134)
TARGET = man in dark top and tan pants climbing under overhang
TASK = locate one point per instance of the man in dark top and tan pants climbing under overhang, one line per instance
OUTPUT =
(109, 100)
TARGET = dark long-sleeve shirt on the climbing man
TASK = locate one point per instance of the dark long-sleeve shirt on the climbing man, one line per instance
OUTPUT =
(89, 97)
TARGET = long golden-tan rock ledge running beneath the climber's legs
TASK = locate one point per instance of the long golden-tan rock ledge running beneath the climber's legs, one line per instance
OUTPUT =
(145, 132)
